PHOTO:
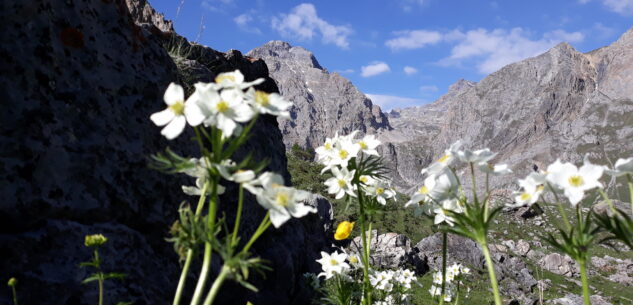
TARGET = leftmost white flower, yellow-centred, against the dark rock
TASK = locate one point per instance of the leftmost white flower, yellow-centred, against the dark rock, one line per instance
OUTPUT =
(177, 113)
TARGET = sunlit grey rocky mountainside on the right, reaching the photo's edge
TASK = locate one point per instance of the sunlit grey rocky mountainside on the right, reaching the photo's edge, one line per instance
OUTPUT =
(561, 104)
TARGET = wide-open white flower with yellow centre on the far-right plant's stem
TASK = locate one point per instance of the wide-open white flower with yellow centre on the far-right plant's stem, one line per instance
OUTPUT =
(573, 181)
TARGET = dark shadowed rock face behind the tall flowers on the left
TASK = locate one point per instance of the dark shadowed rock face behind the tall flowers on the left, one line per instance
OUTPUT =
(74, 145)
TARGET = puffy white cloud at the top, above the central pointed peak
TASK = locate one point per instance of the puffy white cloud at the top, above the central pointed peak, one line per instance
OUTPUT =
(304, 23)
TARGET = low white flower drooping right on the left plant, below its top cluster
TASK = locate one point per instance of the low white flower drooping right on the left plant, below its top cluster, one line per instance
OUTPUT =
(281, 201)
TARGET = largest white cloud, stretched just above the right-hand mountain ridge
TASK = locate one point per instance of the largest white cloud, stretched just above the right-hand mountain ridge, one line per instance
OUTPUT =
(497, 48)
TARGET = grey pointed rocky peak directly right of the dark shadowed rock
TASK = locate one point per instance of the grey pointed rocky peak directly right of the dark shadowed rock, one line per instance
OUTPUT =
(324, 103)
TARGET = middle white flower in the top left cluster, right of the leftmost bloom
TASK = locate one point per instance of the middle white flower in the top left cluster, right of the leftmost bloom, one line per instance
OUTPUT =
(224, 109)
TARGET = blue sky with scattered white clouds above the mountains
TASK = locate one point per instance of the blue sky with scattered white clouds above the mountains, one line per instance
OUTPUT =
(404, 52)
